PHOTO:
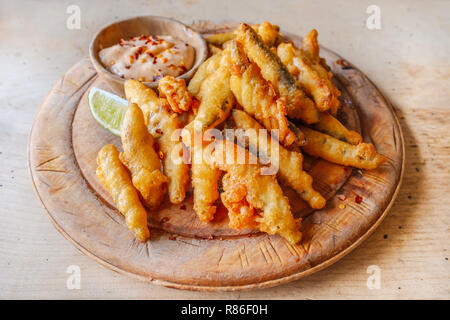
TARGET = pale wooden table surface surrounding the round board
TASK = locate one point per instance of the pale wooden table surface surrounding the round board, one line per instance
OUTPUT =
(408, 59)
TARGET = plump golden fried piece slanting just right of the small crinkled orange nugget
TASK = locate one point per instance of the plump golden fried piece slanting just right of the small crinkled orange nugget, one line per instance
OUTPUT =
(216, 102)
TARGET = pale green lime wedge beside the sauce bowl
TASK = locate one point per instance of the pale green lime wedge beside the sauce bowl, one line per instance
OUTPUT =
(107, 109)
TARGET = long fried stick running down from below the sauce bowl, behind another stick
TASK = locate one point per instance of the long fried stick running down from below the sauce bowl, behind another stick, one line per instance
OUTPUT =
(164, 126)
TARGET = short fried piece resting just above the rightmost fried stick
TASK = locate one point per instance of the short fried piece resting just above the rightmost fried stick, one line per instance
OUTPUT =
(330, 125)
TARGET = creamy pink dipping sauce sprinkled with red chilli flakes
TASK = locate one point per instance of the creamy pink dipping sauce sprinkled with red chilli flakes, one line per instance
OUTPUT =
(148, 58)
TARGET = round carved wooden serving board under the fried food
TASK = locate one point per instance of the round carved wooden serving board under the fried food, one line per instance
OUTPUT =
(183, 252)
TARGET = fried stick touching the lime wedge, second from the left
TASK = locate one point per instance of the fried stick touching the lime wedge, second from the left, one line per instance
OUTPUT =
(140, 158)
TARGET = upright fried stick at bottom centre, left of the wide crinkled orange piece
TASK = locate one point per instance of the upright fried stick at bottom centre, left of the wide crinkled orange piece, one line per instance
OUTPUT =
(205, 179)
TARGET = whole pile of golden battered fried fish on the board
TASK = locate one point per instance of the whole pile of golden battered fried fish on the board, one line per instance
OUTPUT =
(252, 80)
